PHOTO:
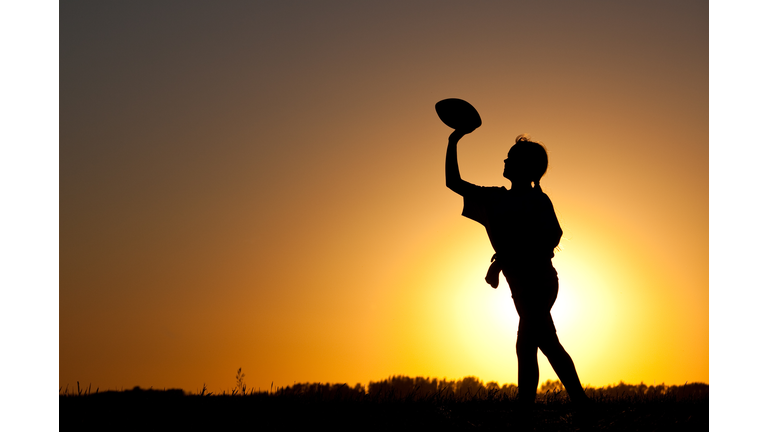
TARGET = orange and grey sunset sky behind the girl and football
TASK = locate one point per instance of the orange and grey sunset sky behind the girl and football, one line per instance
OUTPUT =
(261, 186)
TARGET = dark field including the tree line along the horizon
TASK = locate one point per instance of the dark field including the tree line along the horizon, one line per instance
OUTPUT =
(398, 403)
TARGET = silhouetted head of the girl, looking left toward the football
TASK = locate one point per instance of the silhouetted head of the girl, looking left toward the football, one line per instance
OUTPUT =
(526, 162)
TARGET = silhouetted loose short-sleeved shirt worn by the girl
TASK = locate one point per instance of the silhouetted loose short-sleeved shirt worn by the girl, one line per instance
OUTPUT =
(522, 226)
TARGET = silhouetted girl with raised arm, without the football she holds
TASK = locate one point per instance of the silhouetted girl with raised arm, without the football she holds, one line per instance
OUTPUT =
(524, 232)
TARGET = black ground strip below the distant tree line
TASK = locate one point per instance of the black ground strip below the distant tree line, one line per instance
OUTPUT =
(173, 410)
